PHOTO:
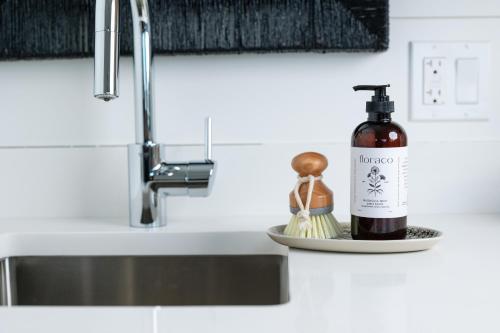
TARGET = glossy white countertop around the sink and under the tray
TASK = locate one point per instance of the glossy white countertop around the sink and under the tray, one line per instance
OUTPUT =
(455, 287)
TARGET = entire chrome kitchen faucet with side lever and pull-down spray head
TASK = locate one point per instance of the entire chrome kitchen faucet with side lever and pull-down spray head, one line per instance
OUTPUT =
(151, 178)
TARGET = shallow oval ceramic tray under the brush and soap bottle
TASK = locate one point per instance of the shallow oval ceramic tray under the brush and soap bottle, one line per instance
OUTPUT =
(418, 239)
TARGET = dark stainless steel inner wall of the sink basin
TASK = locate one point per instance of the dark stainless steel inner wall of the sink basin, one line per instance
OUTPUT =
(145, 280)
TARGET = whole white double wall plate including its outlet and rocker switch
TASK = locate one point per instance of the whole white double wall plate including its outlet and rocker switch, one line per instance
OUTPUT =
(434, 84)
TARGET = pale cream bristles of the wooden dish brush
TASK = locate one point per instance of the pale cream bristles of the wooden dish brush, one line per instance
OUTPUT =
(323, 227)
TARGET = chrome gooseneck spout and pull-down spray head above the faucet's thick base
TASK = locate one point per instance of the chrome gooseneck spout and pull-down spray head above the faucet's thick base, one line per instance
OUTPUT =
(106, 61)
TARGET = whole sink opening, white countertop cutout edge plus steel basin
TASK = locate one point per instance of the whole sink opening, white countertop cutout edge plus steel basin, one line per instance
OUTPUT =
(144, 269)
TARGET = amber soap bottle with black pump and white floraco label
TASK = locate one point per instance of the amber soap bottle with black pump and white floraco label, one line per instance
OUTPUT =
(379, 172)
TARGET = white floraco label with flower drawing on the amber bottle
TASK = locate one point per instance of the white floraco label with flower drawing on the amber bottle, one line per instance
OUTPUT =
(379, 182)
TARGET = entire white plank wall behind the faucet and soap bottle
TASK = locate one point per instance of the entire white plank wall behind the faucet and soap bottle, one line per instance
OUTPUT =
(64, 152)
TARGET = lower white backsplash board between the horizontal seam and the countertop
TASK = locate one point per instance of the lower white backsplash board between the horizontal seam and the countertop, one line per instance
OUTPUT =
(251, 180)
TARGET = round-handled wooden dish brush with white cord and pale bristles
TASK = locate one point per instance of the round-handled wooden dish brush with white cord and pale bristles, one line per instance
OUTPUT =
(311, 201)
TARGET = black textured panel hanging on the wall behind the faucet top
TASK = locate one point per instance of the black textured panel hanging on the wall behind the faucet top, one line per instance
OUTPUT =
(65, 28)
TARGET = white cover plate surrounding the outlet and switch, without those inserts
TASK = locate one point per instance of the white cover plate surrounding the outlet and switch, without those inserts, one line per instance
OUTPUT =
(449, 53)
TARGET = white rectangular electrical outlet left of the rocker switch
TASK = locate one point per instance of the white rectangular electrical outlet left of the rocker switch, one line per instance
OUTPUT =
(434, 81)
